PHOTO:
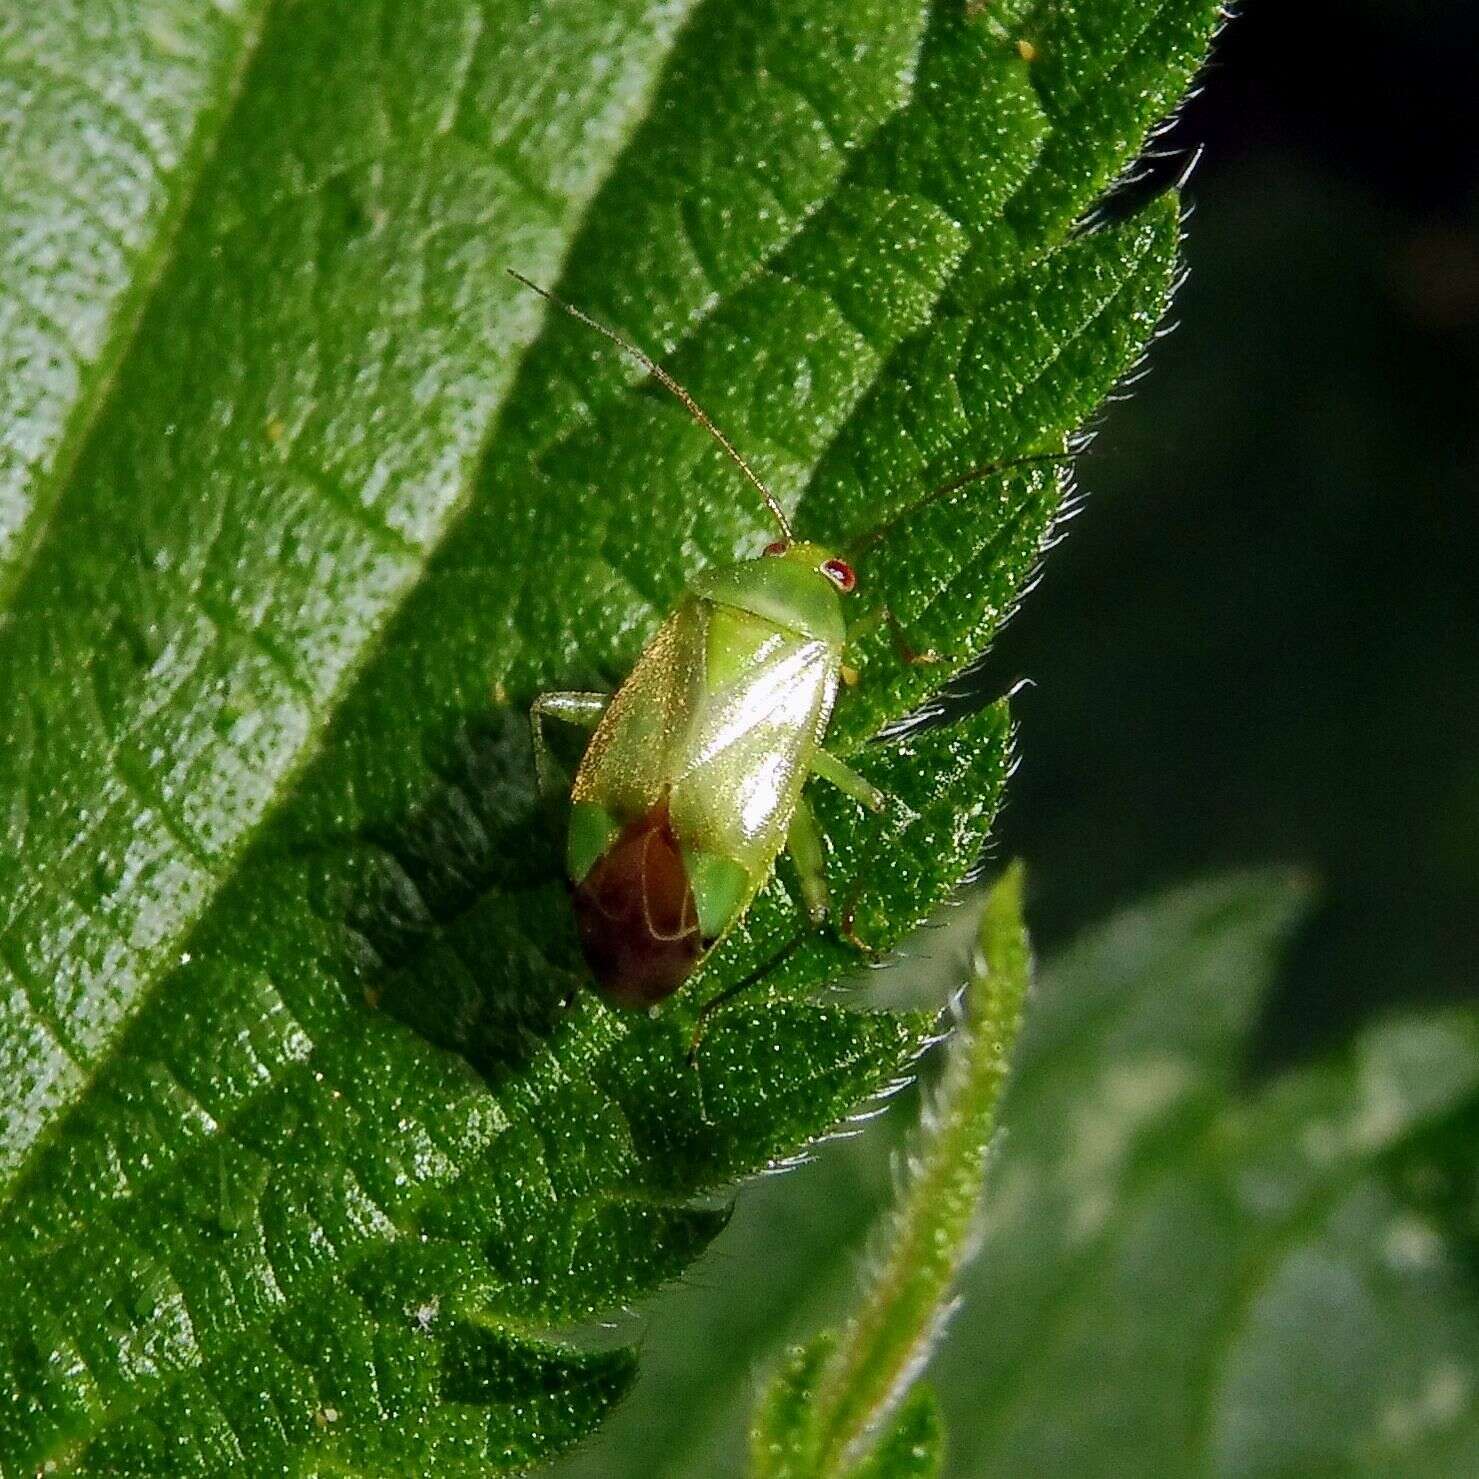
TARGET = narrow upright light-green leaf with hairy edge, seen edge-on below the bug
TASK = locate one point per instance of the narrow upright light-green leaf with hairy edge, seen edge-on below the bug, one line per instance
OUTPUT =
(830, 1410)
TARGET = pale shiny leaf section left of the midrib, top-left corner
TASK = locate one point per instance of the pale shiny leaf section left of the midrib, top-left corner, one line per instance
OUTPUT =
(107, 122)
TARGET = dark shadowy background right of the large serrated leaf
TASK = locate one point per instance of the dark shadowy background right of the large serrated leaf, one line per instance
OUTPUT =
(1261, 640)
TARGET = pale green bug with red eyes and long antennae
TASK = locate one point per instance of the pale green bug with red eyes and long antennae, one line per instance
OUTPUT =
(693, 782)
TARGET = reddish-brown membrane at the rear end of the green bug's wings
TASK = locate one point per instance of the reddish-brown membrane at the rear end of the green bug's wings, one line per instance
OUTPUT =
(637, 915)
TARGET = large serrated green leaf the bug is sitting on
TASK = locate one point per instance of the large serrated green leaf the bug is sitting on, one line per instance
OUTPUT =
(282, 938)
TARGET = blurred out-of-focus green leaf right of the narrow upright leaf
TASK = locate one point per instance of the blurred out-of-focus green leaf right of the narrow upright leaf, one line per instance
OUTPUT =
(1187, 1277)
